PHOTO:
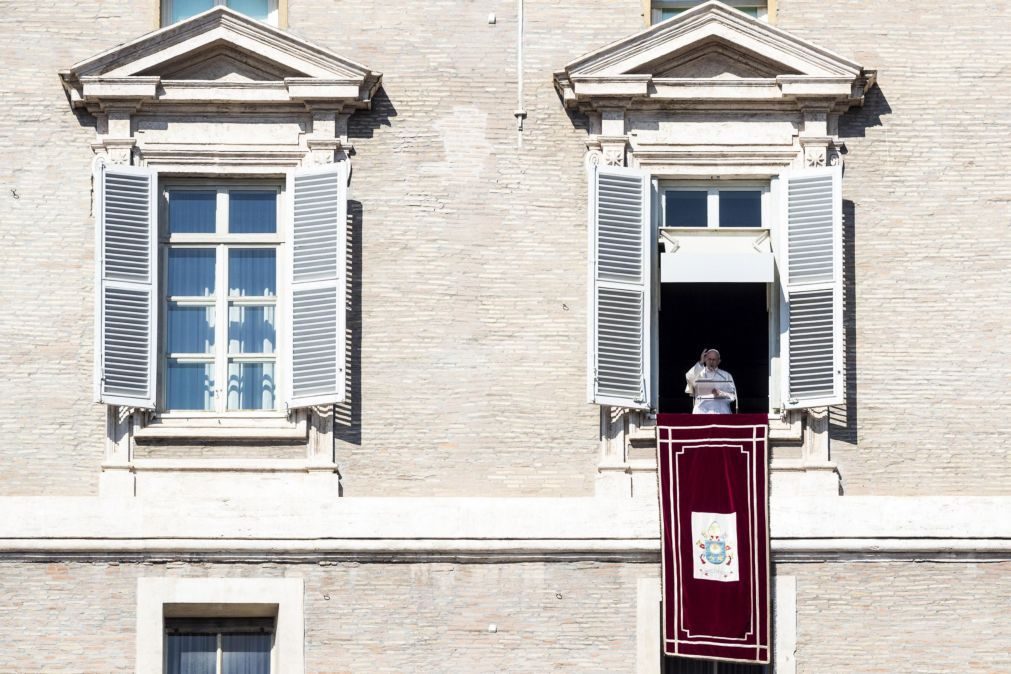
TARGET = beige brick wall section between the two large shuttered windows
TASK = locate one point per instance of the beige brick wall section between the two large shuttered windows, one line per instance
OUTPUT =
(474, 250)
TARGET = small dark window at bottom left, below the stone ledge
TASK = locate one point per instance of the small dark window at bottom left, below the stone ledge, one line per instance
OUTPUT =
(219, 646)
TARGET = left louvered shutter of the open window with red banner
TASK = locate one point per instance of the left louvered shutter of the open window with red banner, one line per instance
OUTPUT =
(622, 245)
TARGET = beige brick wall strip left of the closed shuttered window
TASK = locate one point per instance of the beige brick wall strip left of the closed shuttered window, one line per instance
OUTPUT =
(51, 434)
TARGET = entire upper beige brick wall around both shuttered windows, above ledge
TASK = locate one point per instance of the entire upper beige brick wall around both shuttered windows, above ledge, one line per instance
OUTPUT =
(469, 374)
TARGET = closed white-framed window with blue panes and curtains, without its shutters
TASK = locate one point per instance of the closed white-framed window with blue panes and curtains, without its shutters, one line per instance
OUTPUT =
(221, 250)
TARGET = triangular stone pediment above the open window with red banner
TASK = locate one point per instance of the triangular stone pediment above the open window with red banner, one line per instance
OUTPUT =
(710, 44)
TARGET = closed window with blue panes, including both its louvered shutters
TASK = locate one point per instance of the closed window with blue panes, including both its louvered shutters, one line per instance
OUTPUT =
(221, 298)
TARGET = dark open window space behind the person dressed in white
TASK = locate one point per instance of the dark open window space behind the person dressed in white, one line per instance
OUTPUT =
(730, 317)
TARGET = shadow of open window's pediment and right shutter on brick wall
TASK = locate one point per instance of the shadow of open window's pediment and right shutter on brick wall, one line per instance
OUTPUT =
(844, 423)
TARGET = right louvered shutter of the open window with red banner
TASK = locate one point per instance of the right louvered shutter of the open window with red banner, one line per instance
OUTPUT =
(813, 278)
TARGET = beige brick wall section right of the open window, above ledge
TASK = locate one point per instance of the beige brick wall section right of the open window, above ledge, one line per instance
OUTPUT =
(932, 192)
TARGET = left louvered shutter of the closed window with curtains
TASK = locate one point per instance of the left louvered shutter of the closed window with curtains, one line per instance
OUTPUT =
(126, 322)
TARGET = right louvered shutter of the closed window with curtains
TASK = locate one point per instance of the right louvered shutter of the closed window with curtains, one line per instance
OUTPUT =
(318, 309)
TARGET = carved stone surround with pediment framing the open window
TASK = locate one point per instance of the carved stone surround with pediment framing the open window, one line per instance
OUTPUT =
(659, 73)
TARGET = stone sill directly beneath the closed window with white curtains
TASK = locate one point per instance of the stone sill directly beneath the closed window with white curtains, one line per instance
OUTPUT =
(240, 427)
